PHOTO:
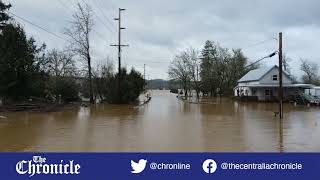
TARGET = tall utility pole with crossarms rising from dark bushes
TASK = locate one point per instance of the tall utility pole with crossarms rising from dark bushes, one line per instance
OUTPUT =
(119, 45)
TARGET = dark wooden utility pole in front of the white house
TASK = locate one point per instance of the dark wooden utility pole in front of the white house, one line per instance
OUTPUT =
(280, 78)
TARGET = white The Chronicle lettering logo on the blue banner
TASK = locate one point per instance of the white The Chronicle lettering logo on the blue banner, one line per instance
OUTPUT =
(38, 165)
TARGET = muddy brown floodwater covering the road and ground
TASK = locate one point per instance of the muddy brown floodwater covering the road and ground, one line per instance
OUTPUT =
(166, 124)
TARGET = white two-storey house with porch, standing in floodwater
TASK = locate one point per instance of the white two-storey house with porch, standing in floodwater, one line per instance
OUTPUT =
(262, 84)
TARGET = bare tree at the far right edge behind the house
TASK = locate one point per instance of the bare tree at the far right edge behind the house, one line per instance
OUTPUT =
(310, 70)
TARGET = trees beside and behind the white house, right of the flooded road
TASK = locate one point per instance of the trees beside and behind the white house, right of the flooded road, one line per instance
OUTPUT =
(215, 70)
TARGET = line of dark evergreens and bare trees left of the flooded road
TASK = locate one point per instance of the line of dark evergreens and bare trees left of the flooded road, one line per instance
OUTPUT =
(29, 71)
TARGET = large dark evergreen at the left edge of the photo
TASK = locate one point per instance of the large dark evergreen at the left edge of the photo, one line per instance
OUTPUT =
(20, 75)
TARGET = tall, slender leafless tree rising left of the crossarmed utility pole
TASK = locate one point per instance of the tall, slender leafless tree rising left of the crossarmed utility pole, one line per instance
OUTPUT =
(79, 34)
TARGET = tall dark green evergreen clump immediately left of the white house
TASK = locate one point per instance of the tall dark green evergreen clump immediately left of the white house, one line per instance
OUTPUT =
(221, 69)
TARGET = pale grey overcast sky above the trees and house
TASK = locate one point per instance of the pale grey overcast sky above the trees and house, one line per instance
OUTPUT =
(157, 30)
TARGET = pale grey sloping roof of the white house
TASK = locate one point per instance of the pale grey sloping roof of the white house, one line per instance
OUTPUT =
(257, 74)
